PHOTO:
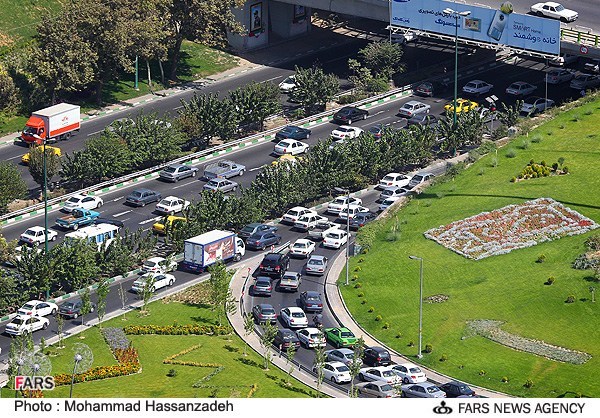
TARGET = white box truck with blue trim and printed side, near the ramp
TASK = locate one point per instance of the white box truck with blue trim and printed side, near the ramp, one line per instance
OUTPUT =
(201, 251)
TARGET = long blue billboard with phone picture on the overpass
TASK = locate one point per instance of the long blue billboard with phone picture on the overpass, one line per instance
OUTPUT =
(500, 26)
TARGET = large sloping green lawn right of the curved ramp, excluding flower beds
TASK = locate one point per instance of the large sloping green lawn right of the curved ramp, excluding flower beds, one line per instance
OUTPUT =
(508, 287)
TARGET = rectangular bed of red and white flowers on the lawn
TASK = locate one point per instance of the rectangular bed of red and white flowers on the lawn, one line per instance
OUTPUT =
(510, 228)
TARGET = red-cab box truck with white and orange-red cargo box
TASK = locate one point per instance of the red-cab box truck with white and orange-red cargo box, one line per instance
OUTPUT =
(63, 121)
